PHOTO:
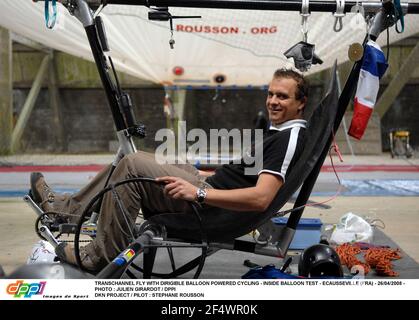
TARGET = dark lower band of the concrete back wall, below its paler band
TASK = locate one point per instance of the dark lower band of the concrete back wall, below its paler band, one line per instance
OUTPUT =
(89, 127)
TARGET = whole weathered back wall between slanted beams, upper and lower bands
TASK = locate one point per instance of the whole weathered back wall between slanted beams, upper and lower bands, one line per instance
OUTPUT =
(89, 127)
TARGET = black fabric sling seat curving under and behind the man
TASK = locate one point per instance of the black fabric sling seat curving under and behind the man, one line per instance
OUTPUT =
(224, 225)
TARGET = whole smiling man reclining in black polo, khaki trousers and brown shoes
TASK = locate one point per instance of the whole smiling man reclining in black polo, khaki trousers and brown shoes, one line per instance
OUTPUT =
(228, 188)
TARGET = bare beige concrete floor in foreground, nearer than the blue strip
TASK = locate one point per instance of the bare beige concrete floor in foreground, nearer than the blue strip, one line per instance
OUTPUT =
(400, 215)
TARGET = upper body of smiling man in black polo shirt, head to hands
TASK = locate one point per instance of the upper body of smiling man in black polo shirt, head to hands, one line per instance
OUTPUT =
(231, 187)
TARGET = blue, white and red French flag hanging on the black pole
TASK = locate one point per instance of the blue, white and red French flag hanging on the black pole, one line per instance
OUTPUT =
(374, 65)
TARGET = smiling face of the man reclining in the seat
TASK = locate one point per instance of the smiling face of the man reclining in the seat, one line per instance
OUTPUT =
(281, 103)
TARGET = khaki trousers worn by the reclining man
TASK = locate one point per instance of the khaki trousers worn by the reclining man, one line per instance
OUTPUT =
(113, 234)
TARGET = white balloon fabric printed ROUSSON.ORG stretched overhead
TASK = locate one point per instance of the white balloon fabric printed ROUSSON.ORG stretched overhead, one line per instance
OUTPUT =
(245, 46)
